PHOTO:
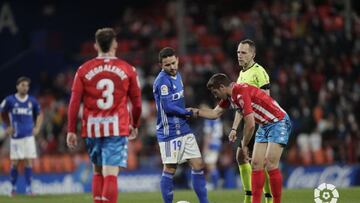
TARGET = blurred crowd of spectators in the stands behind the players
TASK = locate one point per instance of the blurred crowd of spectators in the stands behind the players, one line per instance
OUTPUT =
(312, 60)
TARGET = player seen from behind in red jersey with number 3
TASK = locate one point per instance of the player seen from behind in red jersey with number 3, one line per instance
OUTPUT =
(105, 84)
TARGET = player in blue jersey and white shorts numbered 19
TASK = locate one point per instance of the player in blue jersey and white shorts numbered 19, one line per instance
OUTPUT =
(176, 140)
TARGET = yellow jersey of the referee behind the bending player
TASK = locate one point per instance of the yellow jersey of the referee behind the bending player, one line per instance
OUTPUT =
(256, 76)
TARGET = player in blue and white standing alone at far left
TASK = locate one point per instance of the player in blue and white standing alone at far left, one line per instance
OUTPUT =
(18, 112)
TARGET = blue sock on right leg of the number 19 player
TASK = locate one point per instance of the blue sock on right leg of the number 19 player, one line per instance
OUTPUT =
(199, 182)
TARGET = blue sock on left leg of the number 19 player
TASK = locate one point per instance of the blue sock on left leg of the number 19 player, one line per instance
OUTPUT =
(167, 187)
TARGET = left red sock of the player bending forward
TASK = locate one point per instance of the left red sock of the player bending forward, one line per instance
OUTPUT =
(257, 184)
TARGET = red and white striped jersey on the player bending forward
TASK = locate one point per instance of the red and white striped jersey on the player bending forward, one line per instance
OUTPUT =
(249, 99)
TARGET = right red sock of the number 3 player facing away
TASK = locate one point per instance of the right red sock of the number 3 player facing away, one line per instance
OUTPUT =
(110, 191)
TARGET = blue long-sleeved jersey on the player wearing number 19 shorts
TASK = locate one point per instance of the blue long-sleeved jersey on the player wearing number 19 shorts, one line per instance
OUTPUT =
(170, 104)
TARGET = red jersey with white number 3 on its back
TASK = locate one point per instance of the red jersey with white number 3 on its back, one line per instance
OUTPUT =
(105, 84)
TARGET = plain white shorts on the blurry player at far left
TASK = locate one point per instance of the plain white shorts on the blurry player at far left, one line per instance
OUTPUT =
(23, 148)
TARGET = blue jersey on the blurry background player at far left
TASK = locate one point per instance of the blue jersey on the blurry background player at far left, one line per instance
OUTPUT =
(21, 114)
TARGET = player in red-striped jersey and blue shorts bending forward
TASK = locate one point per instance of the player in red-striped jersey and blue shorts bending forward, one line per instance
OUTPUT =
(258, 107)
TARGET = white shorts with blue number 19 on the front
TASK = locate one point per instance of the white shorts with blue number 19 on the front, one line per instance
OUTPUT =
(179, 150)
